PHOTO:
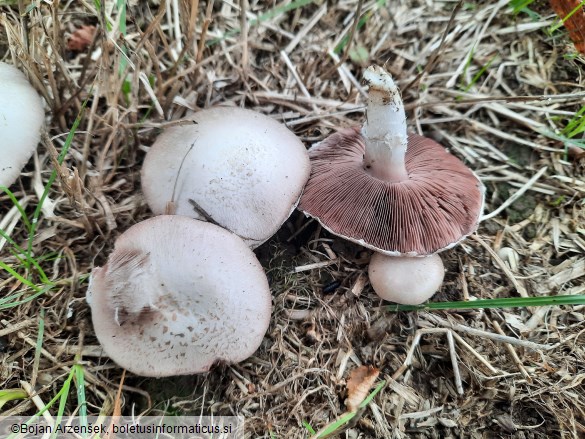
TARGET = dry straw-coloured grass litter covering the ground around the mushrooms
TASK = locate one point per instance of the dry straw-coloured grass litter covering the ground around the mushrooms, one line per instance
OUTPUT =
(140, 74)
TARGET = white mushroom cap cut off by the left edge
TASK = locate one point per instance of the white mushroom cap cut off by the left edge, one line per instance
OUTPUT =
(21, 118)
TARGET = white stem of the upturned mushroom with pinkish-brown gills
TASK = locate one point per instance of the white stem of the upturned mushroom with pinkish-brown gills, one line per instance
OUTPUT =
(385, 128)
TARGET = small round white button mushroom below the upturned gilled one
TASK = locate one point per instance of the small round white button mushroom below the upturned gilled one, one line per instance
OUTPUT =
(409, 281)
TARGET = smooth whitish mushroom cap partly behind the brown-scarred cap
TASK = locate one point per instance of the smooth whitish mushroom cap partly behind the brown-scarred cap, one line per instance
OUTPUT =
(237, 168)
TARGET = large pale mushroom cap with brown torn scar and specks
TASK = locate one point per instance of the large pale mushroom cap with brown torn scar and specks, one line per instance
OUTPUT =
(178, 295)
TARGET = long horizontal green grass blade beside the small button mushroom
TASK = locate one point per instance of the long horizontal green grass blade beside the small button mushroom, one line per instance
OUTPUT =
(510, 302)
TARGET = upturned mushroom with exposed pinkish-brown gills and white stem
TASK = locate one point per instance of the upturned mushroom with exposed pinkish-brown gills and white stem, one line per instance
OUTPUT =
(399, 194)
